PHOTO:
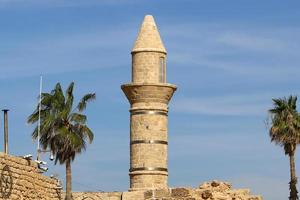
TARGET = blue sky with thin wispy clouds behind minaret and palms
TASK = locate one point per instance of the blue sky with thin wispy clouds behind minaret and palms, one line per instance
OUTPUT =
(228, 59)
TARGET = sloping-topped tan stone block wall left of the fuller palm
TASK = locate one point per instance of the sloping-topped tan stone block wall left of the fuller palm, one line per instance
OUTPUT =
(21, 179)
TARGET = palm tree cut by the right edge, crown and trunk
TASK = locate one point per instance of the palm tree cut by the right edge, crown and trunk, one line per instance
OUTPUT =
(285, 131)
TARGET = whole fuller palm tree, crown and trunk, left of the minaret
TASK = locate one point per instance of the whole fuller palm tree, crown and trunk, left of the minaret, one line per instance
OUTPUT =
(63, 127)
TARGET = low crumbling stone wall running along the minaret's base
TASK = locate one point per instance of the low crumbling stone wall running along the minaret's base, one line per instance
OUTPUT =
(214, 190)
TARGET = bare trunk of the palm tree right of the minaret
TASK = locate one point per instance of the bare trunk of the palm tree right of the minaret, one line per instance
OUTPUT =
(293, 182)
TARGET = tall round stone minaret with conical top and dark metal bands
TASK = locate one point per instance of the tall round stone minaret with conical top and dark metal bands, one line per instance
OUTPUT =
(149, 95)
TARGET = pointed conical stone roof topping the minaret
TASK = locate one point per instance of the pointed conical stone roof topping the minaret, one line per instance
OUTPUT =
(148, 38)
